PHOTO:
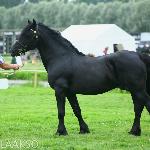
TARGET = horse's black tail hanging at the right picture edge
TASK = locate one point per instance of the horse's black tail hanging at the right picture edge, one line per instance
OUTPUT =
(146, 59)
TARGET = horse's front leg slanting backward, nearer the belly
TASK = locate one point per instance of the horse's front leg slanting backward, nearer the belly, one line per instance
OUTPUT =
(77, 111)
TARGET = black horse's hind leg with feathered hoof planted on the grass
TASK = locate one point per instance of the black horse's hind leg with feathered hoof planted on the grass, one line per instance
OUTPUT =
(140, 99)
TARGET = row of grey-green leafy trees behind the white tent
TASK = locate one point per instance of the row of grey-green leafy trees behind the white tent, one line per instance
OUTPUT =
(132, 16)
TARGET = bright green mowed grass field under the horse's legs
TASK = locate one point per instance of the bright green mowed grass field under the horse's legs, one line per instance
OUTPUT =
(30, 113)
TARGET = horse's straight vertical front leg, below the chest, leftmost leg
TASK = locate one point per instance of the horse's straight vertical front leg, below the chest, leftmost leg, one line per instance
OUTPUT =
(60, 97)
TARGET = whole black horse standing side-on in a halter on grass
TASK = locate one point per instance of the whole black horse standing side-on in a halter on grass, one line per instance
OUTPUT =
(70, 72)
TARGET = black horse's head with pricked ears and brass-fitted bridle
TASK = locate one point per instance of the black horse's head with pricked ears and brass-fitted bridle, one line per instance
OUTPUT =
(27, 39)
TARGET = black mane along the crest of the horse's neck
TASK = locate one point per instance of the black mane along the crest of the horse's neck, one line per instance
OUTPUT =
(64, 41)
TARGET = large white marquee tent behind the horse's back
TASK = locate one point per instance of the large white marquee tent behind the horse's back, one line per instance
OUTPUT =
(93, 39)
